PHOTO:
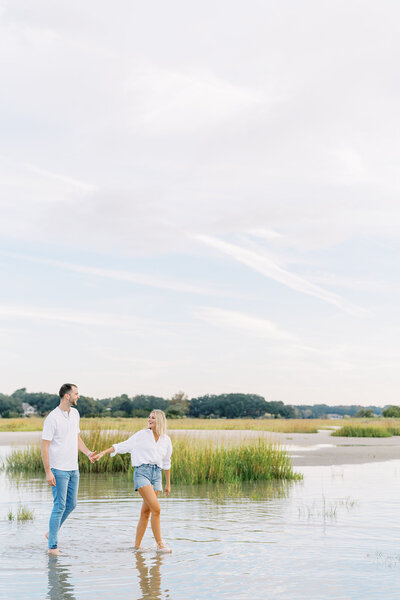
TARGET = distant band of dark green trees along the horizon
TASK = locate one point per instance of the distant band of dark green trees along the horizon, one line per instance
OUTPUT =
(229, 406)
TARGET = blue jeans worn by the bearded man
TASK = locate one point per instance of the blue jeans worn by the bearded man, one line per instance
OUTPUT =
(65, 495)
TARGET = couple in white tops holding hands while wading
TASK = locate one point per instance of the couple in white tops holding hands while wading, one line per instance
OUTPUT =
(150, 450)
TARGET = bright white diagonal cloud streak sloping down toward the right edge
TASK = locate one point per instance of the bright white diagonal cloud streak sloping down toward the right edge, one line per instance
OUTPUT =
(265, 265)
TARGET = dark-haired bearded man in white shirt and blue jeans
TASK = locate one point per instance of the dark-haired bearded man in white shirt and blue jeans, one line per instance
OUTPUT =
(60, 444)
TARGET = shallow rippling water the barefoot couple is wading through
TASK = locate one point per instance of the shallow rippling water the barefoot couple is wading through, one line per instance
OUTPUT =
(333, 536)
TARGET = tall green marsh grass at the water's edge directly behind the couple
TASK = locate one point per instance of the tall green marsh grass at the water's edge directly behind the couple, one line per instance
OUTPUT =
(194, 461)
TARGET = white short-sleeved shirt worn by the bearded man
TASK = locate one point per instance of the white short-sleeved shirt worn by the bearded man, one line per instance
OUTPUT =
(61, 429)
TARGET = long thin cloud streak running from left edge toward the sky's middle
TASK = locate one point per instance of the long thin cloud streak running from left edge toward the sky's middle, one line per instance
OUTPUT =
(121, 275)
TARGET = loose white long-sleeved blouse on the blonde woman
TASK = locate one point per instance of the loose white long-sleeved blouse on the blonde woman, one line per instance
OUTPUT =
(145, 450)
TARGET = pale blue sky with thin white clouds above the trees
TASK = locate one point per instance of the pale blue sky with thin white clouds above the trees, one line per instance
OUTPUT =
(201, 197)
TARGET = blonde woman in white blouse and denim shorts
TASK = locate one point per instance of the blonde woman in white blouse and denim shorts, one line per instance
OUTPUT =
(151, 451)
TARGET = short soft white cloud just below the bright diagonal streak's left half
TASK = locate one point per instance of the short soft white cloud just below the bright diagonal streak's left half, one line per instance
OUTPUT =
(231, 319)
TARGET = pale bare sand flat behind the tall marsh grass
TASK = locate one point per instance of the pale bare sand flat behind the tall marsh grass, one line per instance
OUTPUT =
(306, 449)
